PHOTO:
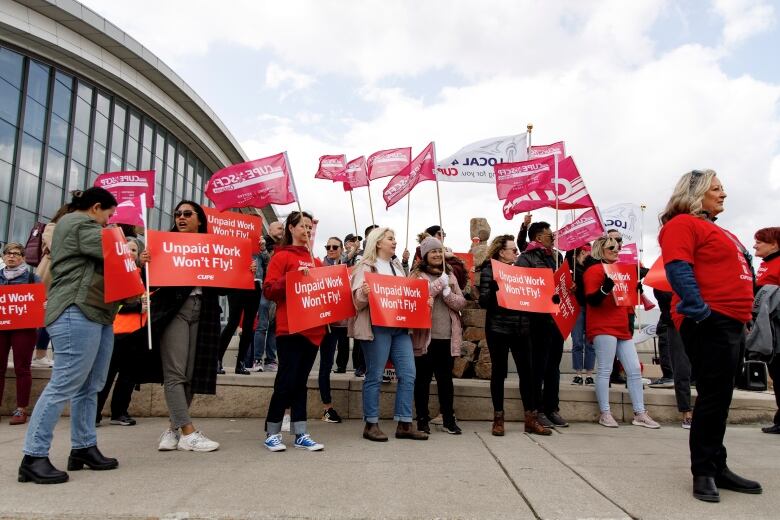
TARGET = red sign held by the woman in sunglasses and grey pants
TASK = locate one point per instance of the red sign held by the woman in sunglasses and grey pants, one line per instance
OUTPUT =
(199, 259)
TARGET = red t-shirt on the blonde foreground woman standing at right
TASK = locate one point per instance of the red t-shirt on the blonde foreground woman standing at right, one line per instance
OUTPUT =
(719, 266)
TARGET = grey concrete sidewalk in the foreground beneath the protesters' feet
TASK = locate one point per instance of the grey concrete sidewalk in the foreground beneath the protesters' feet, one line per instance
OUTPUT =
(584, 471)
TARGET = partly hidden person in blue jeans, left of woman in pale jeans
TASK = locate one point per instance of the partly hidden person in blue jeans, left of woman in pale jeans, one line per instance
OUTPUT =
(583, 355)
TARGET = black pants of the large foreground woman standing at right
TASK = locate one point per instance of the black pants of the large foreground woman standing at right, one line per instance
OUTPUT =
(713, 346)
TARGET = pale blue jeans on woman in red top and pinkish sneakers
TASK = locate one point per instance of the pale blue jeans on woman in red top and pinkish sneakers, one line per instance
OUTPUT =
(606, 348)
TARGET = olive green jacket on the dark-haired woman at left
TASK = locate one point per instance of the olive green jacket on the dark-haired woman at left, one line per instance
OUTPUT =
(77, 270)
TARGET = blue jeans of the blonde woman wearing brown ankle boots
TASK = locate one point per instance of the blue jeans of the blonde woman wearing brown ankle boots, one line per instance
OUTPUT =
(394, 344)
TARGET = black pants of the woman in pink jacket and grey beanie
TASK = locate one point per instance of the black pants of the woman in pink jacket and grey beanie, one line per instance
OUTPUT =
(437, 361)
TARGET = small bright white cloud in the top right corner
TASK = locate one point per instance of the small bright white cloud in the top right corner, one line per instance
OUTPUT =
(743, 19)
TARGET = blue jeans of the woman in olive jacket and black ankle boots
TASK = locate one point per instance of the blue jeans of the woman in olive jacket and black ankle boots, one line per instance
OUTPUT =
(83, 354)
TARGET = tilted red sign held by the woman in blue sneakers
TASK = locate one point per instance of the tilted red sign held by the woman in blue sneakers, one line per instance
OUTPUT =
(321, 297)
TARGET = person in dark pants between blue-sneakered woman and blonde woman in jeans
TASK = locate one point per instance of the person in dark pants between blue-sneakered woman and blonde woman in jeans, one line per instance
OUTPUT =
(335, 338)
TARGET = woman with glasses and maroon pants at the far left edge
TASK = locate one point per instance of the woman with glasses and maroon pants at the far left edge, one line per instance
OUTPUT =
(22, 341)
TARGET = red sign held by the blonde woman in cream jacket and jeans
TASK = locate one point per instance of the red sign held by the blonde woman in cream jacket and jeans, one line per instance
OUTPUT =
(396, 301)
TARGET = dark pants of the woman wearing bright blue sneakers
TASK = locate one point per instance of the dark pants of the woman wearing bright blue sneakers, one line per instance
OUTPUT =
(296, 356)
